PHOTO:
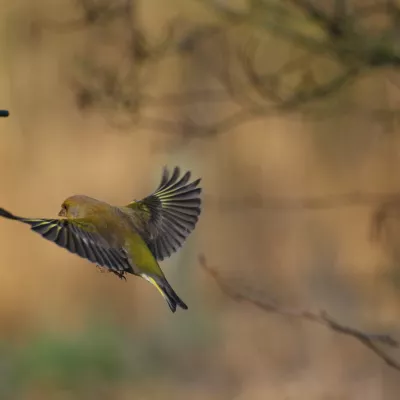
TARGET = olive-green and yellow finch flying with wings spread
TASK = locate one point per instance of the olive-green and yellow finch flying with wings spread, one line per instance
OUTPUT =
(128, 239)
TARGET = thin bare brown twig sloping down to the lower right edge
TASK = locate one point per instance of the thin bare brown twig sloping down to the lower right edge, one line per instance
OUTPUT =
(369, 340)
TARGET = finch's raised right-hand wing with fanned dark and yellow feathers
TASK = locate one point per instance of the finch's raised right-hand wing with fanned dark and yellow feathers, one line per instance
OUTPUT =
(169, 214)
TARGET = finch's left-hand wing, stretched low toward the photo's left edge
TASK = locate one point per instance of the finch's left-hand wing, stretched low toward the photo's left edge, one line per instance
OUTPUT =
(78, 237)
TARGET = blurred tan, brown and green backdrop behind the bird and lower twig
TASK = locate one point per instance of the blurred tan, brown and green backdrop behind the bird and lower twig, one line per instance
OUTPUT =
(290, 117)
